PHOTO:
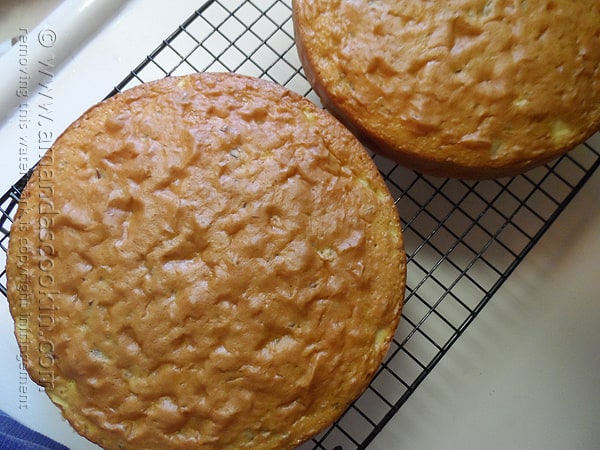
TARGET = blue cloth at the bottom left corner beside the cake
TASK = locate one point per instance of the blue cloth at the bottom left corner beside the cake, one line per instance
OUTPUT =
(16, 436)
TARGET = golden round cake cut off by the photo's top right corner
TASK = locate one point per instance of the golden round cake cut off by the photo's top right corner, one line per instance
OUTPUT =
(457, 88)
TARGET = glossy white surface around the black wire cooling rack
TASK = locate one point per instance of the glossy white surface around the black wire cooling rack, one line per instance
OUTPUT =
(525, 375)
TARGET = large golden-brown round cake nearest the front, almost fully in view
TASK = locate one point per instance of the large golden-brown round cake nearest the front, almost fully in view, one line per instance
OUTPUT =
(201, 262)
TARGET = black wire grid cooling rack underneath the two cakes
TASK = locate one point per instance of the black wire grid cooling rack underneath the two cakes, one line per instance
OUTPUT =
(463, 239)
